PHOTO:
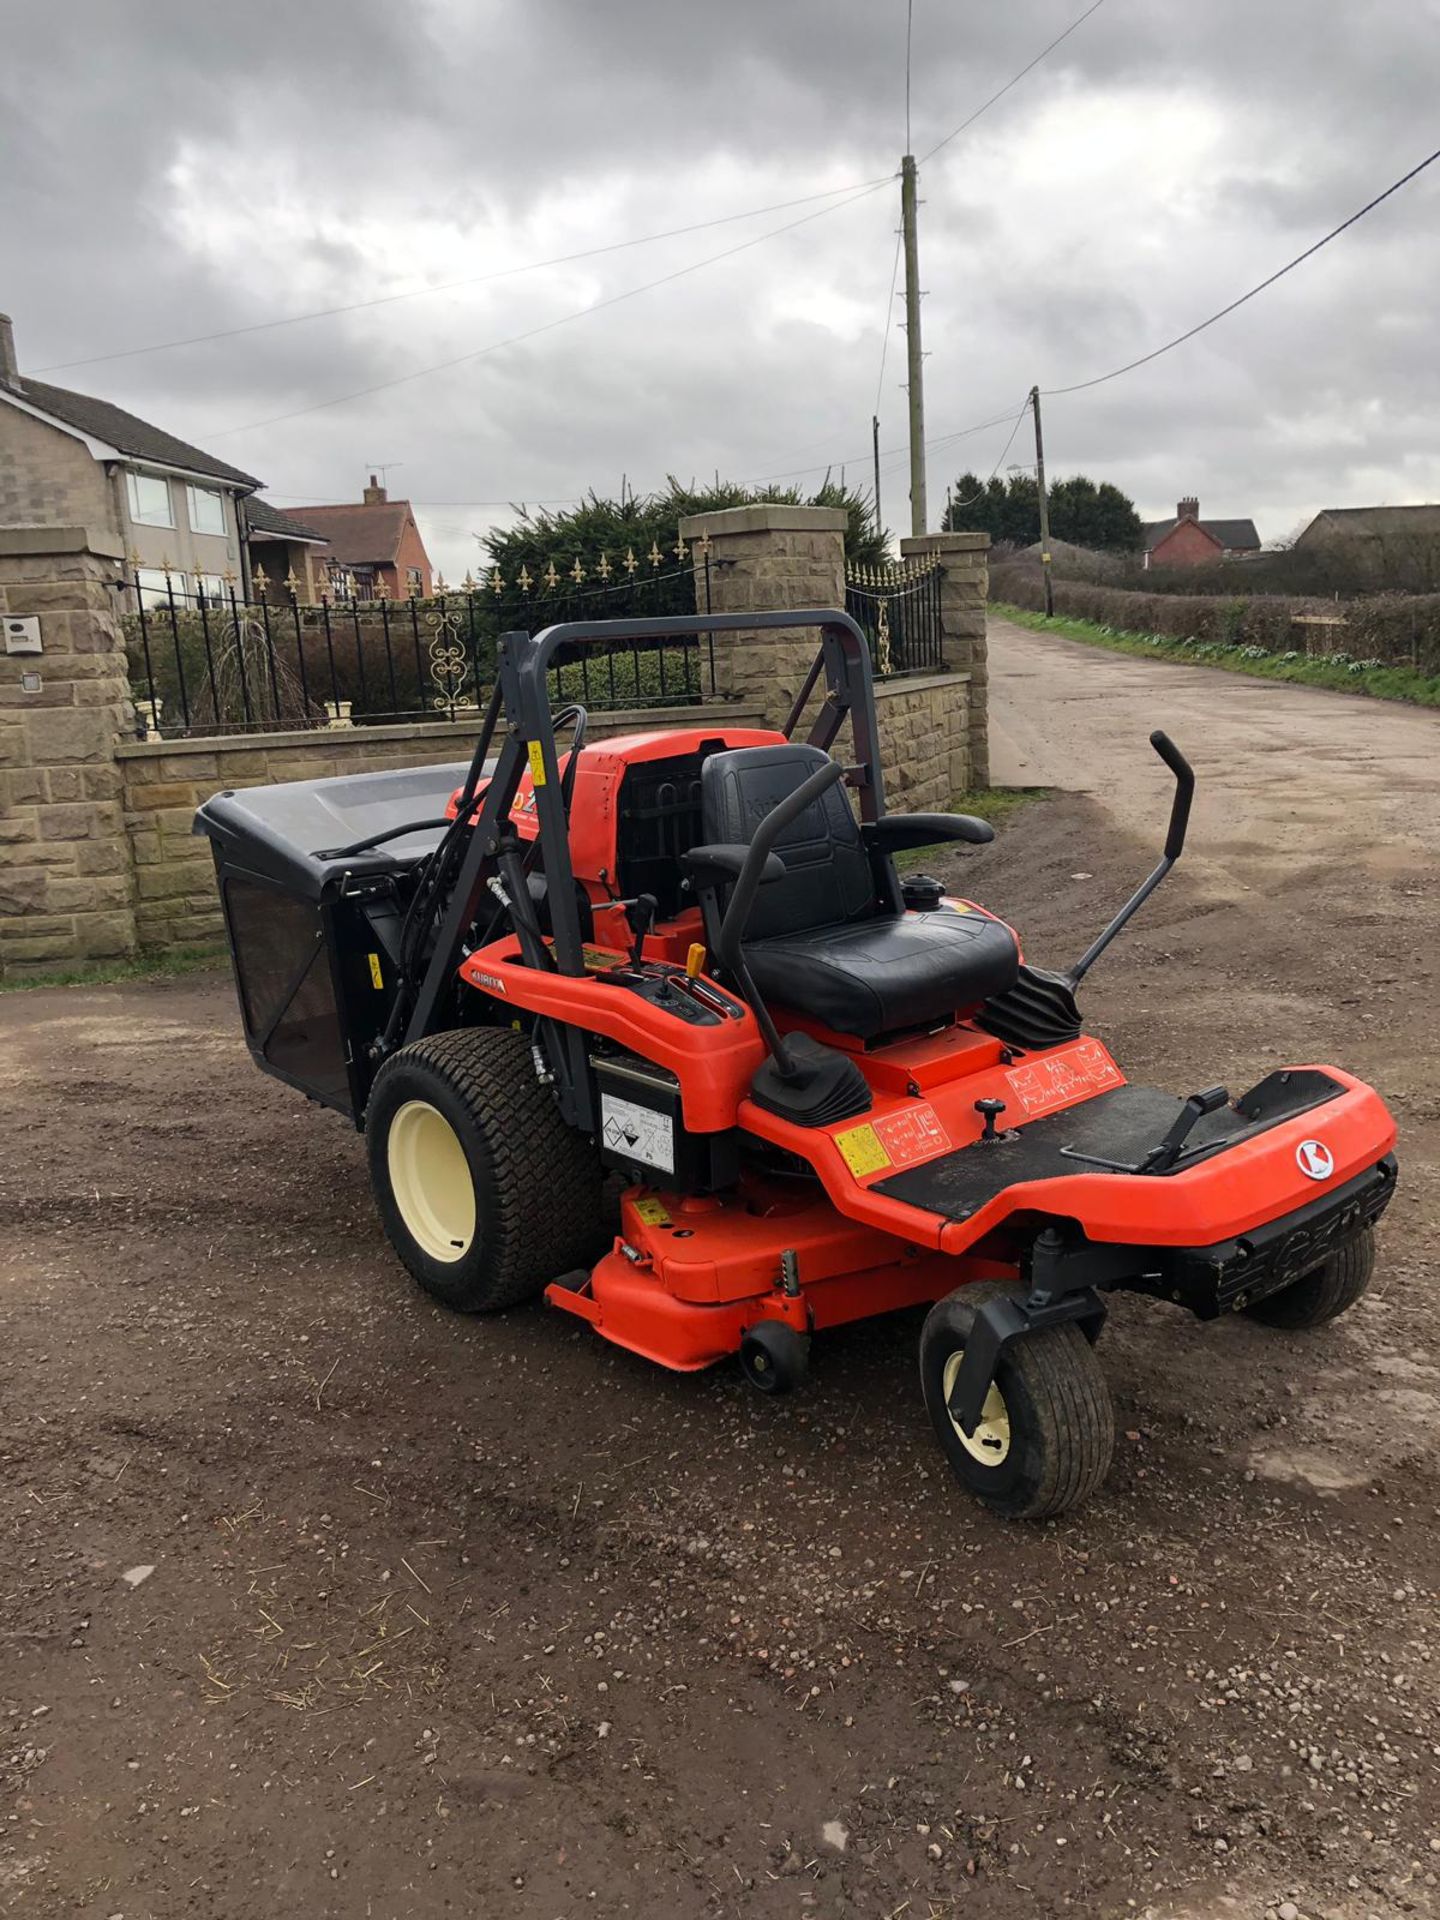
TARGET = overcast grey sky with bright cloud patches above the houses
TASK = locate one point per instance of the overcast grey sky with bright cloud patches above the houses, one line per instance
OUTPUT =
(174, 168)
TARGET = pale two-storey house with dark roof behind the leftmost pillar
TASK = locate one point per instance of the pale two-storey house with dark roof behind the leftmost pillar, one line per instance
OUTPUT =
(70, 460)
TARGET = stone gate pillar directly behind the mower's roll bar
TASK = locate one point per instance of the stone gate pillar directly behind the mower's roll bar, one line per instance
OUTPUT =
(765, 560)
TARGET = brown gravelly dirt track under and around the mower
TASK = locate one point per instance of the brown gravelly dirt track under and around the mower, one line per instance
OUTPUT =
(485, 1620)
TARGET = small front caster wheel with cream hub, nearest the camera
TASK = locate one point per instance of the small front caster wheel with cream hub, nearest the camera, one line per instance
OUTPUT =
(1047, 1429)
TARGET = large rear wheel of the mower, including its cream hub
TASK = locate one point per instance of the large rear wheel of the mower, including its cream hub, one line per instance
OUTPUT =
(483, 1189)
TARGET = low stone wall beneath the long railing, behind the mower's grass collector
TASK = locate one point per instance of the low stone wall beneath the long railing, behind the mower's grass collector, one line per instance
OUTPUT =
(164, 782)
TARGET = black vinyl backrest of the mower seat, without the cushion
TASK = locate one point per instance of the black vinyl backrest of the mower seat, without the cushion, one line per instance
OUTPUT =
(828, 876)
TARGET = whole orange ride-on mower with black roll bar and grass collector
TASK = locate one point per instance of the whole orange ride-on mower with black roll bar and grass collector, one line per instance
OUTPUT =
(686, 959)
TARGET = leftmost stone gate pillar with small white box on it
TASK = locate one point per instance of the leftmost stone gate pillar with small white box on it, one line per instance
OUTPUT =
(66, 888)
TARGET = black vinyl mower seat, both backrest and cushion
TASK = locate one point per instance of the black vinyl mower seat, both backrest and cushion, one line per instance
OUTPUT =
(825, 940)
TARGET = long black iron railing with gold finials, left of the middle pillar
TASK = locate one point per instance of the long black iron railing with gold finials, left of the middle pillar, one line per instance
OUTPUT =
(220, 663)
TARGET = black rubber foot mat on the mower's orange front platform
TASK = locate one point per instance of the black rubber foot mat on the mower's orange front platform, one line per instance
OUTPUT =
(1116, 1130)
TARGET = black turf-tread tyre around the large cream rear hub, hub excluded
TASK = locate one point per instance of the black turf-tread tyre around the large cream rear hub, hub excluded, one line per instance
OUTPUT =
(537, 1180)
